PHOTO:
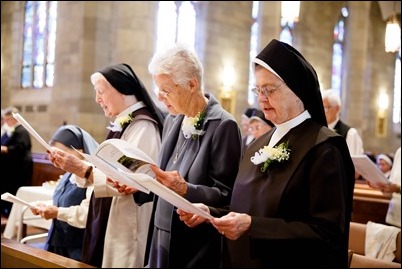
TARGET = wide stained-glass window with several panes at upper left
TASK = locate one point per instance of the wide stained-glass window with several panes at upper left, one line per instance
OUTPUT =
(39, 44)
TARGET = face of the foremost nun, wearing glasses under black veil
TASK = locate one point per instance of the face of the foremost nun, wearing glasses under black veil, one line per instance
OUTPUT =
(279, 103)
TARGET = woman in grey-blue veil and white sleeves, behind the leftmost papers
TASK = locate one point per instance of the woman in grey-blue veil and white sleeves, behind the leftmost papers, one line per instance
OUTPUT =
(70, 203)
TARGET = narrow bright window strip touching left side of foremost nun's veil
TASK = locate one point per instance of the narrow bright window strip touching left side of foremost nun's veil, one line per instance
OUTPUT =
(253, 50)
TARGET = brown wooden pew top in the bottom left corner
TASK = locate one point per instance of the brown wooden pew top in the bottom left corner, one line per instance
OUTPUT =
(17, 255)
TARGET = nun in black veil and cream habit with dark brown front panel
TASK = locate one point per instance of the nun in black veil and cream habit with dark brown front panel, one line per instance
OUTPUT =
(116, 230)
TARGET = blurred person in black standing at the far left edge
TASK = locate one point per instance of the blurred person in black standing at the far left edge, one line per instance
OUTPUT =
(15, 156)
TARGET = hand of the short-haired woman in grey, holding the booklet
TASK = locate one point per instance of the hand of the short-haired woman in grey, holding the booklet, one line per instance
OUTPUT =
(171, 179)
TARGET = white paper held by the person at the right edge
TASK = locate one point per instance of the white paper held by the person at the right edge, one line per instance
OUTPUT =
(368, 169)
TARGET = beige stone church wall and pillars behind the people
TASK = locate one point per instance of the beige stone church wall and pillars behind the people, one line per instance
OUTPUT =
(93, 34)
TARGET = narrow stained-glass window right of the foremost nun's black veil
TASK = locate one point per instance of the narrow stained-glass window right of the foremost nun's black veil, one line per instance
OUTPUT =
(339, 35)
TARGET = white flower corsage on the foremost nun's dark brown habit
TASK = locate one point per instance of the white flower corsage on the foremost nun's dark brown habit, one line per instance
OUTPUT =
(268, 155)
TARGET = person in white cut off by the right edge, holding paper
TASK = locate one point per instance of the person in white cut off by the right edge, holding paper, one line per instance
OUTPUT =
(393, 187)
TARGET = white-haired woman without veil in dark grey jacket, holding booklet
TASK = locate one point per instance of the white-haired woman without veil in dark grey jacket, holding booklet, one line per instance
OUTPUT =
(199, 160)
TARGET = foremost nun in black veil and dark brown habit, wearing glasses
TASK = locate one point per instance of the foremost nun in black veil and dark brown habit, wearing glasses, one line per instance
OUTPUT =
(289, 207)
